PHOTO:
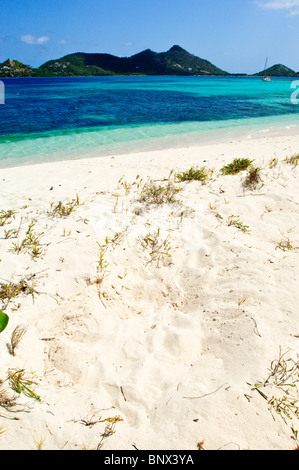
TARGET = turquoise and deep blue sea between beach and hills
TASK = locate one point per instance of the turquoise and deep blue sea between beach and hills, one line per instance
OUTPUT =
(46, 119)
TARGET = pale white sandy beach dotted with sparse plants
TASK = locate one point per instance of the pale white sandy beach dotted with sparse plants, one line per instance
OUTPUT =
(128, 348)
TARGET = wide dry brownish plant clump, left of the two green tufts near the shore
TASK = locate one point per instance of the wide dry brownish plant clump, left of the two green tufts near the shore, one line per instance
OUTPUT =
(152, 193)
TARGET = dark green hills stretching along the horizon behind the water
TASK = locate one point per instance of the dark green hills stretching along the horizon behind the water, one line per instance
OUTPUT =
(175, 61)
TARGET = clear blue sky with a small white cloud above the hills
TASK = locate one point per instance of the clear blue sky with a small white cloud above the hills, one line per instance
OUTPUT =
(235, 35)
